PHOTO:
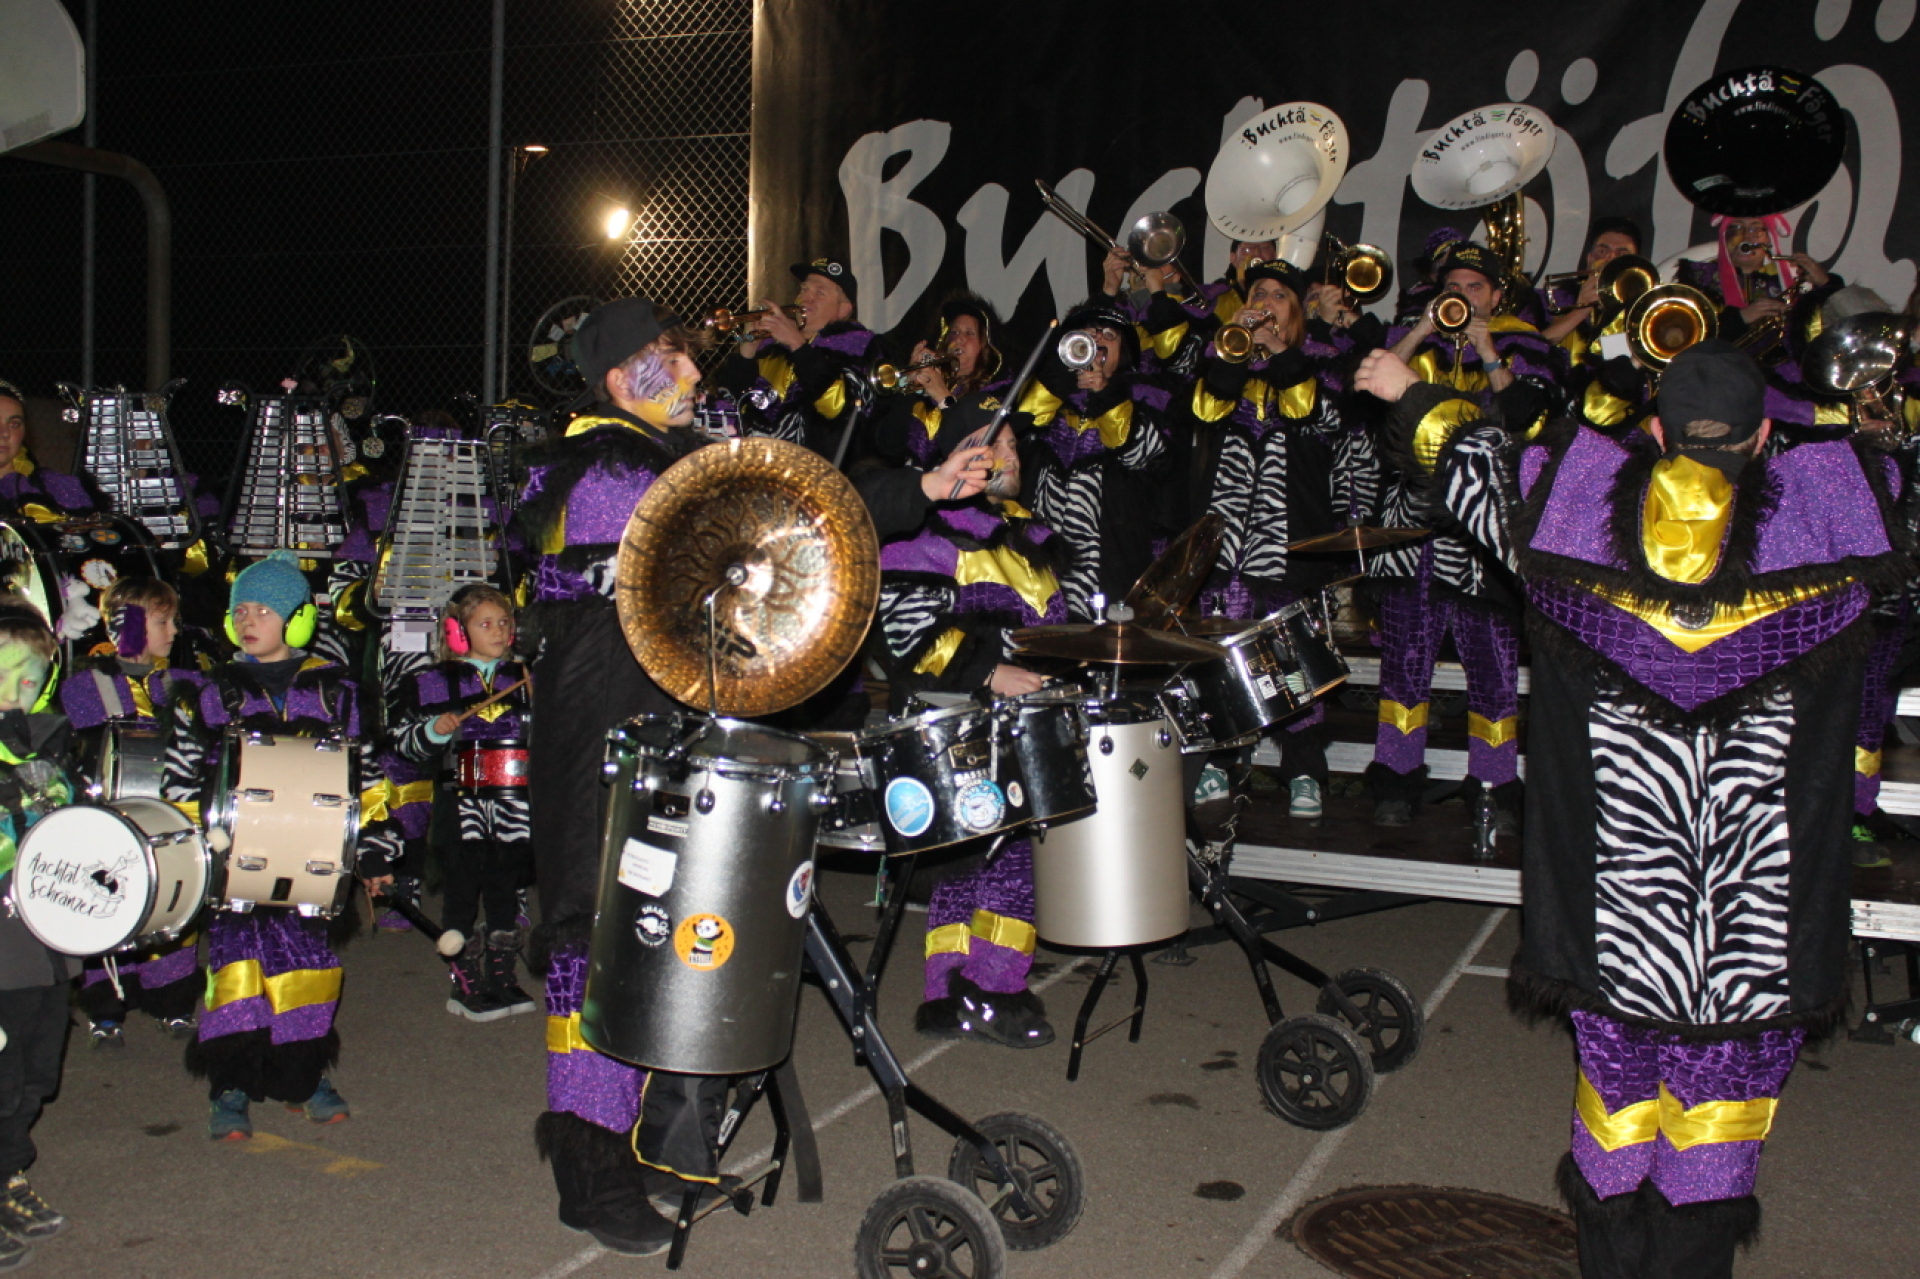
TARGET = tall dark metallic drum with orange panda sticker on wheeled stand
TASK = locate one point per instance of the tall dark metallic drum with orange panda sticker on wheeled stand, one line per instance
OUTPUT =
(706, 884)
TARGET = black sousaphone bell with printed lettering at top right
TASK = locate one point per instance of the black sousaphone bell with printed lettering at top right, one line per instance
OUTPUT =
(1756, 141)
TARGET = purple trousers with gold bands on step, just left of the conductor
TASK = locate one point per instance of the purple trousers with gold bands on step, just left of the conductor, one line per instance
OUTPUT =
(1414, 621)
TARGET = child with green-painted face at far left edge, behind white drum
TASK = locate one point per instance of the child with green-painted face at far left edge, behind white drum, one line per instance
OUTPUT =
(34, 980)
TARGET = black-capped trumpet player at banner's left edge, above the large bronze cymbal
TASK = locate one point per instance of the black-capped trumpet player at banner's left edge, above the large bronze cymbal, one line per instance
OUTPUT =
(794, 374)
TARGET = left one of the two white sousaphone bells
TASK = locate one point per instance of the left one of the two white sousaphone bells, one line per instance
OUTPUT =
(1276, 172)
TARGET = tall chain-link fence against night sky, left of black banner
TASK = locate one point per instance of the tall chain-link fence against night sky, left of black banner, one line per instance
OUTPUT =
(327, 170)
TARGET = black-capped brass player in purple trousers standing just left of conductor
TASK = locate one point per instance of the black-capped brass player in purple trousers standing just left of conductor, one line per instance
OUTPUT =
(1426, 591)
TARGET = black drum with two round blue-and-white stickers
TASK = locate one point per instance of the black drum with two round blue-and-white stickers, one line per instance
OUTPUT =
(944, 777)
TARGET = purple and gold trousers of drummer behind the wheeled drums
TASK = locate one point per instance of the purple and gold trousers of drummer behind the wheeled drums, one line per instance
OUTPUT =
(992, 900)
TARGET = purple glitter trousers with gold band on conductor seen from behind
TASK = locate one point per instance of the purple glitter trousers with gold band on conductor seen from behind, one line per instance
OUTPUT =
(1704, 1109)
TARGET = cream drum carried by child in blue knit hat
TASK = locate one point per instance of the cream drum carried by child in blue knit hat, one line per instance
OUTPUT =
(291, 813)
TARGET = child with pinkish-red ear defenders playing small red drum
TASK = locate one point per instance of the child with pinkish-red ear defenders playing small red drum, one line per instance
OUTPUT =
(477, 702)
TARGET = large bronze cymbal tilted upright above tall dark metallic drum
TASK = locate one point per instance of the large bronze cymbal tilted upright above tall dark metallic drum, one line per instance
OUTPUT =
(790, 548)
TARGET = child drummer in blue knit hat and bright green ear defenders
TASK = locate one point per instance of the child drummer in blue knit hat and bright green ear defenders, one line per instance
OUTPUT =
(268, 1030)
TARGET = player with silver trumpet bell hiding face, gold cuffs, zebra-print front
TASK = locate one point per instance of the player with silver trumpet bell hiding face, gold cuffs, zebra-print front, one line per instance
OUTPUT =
(1093, 445)
